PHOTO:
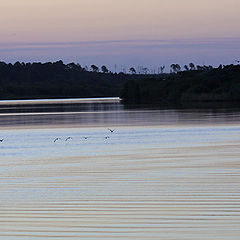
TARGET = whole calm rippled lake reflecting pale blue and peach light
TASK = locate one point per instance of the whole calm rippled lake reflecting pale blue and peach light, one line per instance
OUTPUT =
(164, 173)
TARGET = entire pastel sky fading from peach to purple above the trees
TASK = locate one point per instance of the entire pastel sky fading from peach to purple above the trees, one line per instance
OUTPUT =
(122, 32)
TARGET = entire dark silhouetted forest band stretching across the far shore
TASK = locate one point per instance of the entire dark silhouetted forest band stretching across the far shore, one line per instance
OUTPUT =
(59, 80)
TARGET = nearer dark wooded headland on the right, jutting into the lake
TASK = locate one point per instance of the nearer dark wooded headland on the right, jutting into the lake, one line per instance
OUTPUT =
(219, 84)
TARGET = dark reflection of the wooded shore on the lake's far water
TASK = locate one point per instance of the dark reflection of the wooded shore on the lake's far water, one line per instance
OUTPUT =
(112, 113)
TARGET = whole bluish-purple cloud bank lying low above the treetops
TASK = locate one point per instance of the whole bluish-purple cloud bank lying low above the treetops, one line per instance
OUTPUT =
(130, 52)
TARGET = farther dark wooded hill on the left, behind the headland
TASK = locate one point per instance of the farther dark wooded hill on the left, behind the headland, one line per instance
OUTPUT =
(59, 80)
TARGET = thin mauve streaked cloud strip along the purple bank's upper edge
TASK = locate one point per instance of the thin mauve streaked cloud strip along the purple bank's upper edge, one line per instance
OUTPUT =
(180, 43)
